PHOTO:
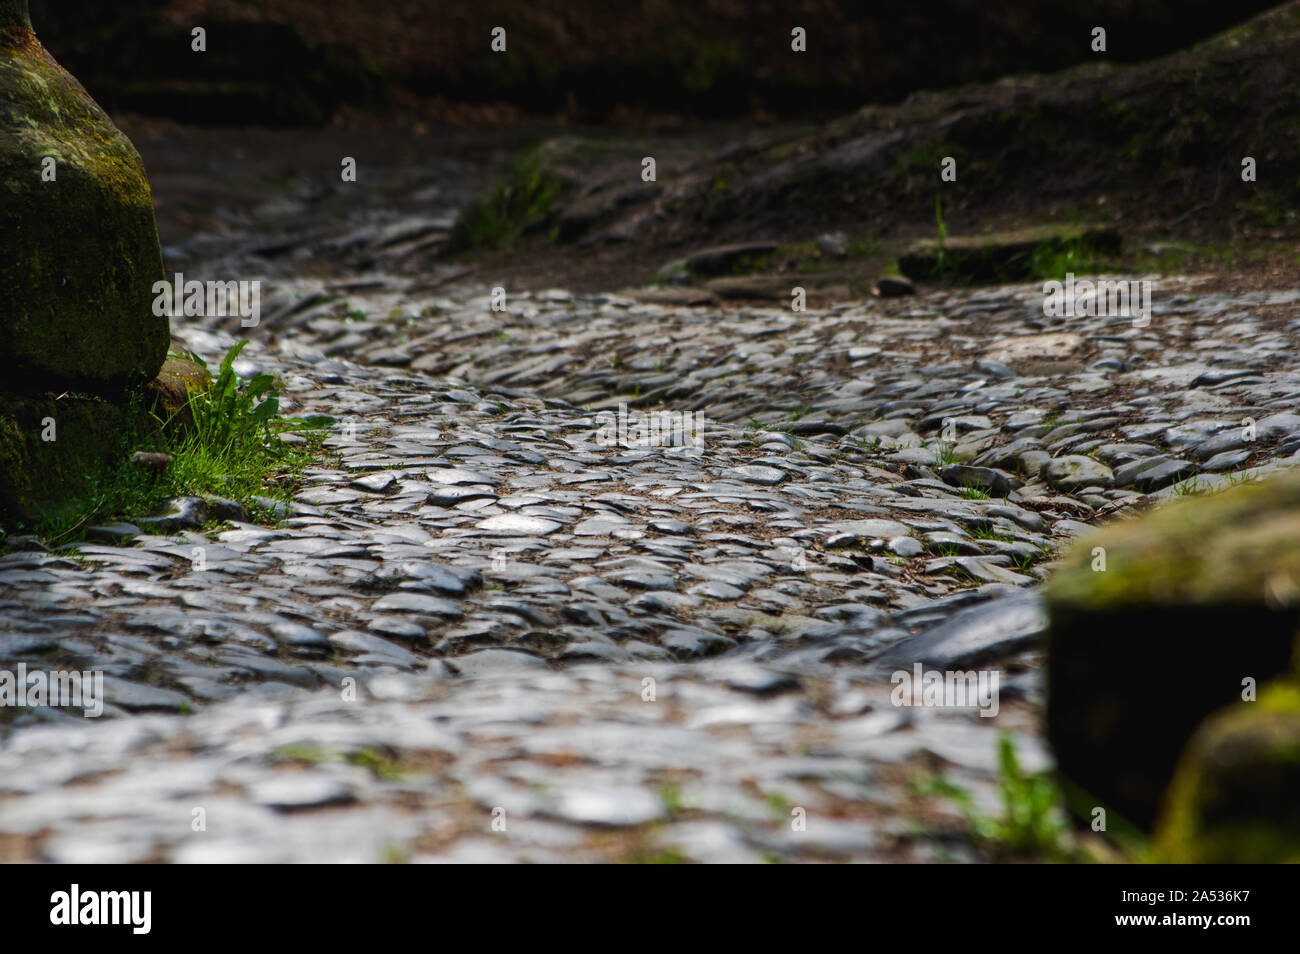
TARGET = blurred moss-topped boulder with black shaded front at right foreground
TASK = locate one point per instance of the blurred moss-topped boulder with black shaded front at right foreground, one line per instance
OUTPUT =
(1194, 600)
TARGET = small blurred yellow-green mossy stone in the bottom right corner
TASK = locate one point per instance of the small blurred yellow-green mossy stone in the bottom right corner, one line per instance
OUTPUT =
(1236, 797)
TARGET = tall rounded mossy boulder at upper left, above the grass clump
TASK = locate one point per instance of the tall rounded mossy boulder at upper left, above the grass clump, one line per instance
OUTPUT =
(79, 241)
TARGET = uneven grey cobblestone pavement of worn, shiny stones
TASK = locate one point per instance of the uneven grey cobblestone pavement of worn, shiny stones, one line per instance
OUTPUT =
(496, 627)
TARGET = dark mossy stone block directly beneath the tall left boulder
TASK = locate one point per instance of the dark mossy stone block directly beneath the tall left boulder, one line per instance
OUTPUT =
(51, 449)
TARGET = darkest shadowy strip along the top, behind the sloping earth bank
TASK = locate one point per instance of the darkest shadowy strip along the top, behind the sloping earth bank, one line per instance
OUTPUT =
(307, 62)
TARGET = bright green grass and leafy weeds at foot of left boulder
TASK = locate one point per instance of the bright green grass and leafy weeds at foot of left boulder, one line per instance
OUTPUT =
(226, 443)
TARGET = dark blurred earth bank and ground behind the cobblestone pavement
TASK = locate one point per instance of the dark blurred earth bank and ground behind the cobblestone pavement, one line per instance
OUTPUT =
(536, 154)
